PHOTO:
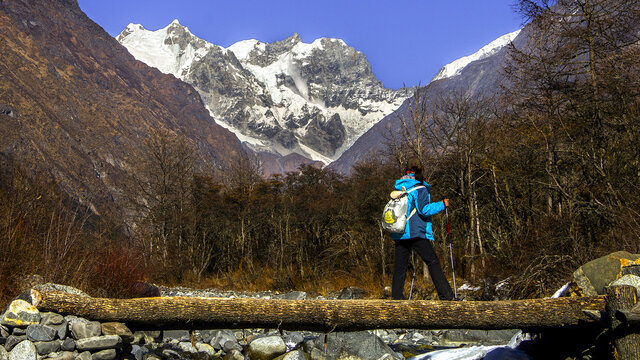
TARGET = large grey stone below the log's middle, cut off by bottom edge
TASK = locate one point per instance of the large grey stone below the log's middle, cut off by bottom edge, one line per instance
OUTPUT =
(357, 345)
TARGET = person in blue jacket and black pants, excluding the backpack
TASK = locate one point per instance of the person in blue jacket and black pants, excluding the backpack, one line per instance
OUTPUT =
(418, 234)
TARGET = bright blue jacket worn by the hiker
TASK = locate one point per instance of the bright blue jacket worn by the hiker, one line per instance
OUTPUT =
(419, 226)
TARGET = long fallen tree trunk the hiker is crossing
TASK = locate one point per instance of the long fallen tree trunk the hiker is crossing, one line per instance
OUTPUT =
(323, 315)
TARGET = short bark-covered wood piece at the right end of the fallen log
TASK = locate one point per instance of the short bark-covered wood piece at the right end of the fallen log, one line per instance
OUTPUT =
(626, 338)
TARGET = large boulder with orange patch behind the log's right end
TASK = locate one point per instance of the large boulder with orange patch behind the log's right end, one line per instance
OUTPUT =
(593, 277)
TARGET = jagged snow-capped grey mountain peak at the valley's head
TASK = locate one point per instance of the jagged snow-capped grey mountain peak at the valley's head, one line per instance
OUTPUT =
(284, 97)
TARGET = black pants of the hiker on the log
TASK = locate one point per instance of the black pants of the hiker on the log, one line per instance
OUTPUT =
(424, 248)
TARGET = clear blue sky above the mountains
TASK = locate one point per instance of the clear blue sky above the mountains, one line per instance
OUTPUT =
(406, 41)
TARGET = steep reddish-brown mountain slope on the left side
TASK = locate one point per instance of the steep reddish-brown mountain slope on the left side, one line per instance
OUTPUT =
(77, 106)
